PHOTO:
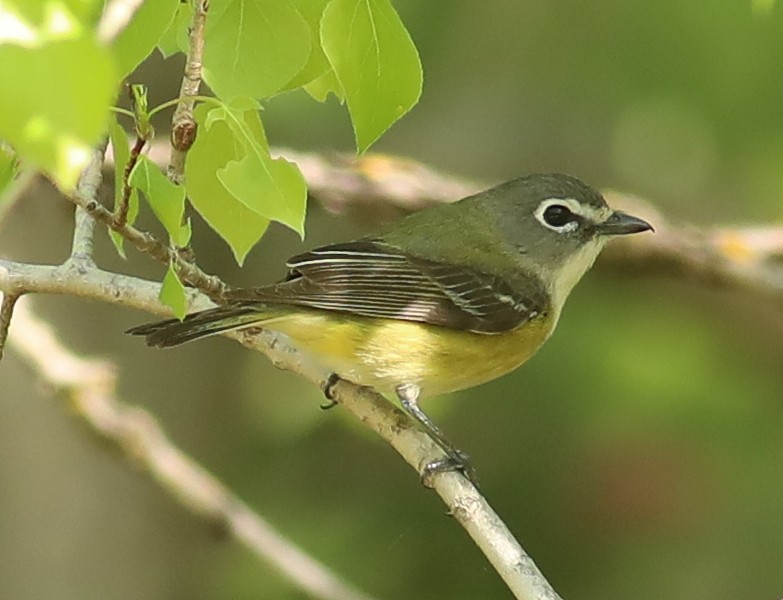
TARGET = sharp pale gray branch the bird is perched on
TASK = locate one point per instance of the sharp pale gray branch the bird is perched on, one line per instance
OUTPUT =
(470, 509)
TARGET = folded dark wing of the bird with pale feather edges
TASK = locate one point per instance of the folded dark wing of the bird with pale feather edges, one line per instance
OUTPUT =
(371, 279)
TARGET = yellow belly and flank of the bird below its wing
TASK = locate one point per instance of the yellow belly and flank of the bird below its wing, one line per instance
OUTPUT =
(384, 353)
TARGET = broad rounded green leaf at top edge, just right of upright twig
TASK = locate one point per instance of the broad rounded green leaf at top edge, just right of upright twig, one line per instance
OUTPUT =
(254, 47)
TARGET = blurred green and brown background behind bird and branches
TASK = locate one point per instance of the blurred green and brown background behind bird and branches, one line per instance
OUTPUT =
(638, 455)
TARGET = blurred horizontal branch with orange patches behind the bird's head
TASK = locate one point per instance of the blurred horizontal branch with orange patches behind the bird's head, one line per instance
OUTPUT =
(377, 188)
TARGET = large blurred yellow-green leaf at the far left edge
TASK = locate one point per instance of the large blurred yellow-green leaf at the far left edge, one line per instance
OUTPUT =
(55, 96)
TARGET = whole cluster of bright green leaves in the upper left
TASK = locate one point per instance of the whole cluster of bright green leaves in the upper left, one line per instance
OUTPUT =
(58, 81)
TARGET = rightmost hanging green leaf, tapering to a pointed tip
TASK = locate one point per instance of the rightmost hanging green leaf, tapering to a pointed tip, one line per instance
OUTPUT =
(375, 62)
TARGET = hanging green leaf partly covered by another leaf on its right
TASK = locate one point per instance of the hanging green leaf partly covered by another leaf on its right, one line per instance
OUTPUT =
(215, 146)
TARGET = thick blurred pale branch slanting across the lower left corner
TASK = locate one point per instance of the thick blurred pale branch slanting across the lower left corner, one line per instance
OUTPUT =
(90, 387)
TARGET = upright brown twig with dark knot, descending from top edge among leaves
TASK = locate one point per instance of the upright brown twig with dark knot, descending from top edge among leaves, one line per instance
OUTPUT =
(183, 124)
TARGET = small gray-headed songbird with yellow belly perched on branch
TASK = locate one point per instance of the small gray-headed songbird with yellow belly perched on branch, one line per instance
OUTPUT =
(442, 300)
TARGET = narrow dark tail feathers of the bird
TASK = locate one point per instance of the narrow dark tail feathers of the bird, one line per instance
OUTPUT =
(173, 332)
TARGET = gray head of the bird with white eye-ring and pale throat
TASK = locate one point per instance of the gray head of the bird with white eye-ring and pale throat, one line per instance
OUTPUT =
(558, 225)
